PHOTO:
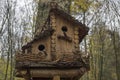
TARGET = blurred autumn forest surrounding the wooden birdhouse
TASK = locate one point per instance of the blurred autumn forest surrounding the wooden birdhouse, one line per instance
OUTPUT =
(19, 20)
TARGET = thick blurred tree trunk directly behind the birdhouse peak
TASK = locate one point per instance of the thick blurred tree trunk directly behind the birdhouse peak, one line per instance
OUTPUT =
(43, 10)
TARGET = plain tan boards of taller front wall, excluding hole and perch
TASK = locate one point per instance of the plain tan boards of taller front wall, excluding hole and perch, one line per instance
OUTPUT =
(63, 46)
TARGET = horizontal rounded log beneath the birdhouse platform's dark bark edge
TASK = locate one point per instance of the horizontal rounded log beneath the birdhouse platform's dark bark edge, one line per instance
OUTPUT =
(52, 72)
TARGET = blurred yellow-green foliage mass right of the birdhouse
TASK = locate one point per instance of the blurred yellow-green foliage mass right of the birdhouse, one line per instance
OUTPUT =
(102, 61)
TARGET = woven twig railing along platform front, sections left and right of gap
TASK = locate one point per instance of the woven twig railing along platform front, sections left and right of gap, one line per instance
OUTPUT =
(66, 57)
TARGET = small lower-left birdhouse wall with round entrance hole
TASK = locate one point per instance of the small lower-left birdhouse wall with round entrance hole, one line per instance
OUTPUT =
(42, 47)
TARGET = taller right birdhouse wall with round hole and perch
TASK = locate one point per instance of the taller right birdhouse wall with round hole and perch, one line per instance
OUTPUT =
(67, 39)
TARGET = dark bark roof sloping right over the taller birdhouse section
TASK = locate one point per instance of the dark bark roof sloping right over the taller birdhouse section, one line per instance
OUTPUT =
(83, 30)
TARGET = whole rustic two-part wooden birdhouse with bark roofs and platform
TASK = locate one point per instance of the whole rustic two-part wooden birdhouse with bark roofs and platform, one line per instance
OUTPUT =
(55, 49)
